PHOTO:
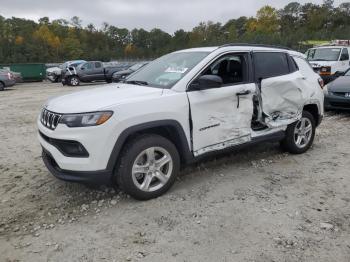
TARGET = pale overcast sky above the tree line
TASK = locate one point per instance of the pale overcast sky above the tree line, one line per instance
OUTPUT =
(168, 15)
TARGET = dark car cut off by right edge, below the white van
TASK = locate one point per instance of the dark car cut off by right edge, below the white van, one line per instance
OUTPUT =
(337, 93)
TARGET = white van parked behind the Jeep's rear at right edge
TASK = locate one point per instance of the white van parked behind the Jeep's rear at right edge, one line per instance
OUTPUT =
(328, 60)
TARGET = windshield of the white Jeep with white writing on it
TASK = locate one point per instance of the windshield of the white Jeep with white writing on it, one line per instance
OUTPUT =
(166, 71)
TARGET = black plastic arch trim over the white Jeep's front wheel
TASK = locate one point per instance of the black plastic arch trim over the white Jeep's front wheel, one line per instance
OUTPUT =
(170, 129)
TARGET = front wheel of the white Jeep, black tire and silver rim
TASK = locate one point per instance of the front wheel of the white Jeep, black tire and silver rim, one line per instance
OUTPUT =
(155, 177)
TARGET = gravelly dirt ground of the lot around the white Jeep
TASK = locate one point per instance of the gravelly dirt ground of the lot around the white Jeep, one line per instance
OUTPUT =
(258, 204)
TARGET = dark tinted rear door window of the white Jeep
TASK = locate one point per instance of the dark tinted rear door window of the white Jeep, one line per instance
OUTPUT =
(270, 65)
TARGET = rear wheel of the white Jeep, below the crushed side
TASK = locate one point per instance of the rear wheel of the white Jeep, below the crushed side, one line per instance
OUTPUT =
(299, 139)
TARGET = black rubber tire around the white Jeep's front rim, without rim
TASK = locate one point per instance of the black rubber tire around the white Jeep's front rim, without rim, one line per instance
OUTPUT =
(123, 173)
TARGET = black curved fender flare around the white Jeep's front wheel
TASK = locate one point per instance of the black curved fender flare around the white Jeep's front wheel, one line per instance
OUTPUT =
(183, 147)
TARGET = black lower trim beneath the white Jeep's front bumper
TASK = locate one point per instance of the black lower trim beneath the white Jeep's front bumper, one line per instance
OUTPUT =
(87, 177)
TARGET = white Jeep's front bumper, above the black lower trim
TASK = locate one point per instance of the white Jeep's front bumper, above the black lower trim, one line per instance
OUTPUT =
(97, 141)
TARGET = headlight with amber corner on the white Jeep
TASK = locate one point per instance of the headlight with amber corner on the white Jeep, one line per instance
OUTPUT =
(86, 119)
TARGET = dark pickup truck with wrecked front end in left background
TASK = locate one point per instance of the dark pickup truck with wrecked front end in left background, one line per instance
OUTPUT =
(91, 71)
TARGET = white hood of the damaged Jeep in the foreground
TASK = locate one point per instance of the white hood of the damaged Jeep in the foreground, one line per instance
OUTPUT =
(101, 98)
